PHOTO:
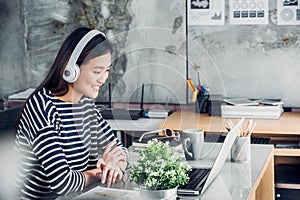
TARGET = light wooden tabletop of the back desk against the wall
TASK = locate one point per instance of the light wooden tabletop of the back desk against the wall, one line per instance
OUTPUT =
(288, 123)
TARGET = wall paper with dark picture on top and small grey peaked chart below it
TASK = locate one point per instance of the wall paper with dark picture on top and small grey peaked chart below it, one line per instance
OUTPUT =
(206, 12)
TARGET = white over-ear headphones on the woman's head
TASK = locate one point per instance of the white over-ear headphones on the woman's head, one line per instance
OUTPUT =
(72, 71)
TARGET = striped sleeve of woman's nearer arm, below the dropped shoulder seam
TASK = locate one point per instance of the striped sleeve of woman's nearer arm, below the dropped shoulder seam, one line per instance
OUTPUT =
(60, 177)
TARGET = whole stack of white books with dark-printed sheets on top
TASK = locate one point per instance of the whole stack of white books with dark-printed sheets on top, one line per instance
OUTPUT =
(237, 108)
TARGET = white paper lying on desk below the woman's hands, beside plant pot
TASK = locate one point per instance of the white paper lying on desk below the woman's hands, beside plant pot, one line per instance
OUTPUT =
(104, 193)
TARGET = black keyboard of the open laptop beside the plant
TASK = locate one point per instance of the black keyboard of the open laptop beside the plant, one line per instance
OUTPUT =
(196, 176)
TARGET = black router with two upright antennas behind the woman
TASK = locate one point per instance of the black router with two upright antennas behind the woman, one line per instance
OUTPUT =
(129, 114)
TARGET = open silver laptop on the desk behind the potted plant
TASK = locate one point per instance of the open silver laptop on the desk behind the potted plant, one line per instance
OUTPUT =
(201, 178)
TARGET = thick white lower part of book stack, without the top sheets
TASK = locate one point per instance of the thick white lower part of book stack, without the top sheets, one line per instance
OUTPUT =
(266, 111)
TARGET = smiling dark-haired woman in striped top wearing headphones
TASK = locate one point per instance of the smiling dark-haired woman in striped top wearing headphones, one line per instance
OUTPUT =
(63, 142)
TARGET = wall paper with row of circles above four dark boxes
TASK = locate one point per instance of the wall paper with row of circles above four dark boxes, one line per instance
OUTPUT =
(249, 11)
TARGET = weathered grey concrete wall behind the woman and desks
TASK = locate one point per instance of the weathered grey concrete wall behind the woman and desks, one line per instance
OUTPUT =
(254, 61)
